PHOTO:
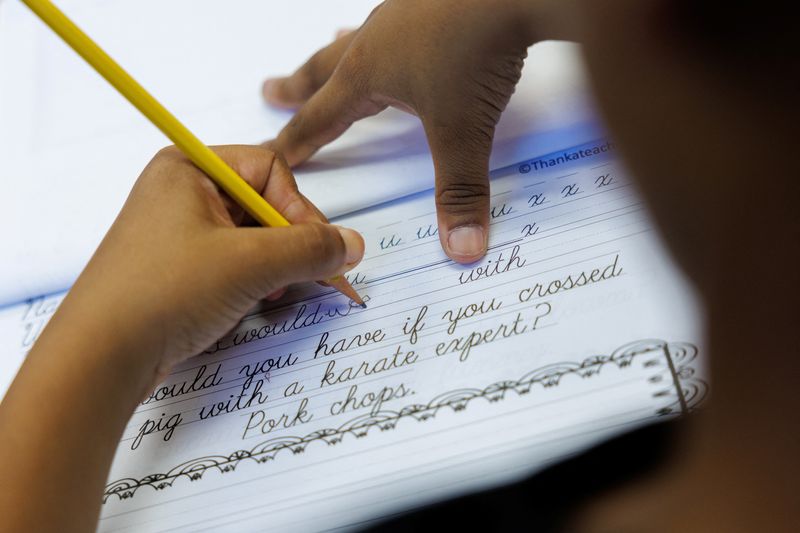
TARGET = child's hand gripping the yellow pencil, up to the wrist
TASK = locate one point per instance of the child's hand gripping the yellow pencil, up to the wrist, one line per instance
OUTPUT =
(175, 271)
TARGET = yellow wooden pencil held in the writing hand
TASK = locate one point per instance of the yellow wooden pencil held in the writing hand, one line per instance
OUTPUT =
(200, 154)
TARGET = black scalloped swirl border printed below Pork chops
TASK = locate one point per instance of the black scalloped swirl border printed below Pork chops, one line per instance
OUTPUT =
(688, 389)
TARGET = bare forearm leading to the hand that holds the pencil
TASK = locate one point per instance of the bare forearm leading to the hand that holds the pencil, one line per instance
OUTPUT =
(66, 410)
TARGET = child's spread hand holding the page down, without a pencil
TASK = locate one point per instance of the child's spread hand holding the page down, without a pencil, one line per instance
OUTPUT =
(453, 63)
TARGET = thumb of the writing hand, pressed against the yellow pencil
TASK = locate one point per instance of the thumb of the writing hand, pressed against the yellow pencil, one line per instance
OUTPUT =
(262, 260)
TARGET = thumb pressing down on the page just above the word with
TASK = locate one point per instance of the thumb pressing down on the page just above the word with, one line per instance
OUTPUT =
(460, 153)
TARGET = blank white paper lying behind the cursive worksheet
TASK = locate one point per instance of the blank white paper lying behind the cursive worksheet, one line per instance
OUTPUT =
(71, 147)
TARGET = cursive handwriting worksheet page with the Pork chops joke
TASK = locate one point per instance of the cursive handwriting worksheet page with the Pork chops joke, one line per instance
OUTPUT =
(316, 414)
